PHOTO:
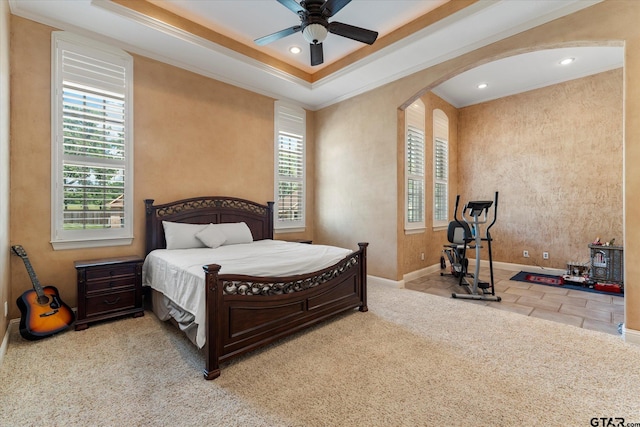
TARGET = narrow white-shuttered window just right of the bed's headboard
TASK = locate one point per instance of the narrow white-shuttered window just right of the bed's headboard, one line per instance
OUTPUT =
(290, 130)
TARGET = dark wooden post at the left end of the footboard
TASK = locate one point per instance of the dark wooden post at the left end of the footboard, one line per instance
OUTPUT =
(213, 301)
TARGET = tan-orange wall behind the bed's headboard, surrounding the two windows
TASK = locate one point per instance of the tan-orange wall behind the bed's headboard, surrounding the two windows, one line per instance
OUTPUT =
(194, 136)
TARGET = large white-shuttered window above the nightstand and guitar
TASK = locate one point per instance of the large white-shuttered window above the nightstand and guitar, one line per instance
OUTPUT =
(92, 144)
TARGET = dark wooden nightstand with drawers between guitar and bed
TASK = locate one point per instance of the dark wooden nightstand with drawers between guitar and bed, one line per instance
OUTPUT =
(107, 288)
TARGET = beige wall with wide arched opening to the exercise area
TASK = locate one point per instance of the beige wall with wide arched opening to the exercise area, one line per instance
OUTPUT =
(364, 121)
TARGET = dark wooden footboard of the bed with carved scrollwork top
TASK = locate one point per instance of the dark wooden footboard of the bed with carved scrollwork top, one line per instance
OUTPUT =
(245, 313)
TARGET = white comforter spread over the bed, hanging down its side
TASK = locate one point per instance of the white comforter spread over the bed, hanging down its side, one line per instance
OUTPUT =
(178, 273)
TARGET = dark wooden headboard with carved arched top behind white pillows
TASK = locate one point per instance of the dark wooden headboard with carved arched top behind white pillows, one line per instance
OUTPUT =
(205, 210)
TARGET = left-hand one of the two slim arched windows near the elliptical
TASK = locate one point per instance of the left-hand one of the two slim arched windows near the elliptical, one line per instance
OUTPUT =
(414, 164)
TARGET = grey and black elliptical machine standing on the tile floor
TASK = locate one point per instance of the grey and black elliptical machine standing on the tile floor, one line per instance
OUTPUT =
(474, 215)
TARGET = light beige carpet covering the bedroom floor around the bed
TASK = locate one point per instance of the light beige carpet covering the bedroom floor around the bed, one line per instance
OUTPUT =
(414, 359)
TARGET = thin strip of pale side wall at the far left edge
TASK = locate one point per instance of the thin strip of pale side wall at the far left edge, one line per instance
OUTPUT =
(5, 294)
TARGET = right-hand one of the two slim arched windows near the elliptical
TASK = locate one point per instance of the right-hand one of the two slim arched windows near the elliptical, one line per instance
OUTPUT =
(440, 168)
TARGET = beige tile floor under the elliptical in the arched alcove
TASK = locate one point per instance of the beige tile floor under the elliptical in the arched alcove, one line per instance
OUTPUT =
(587, 310)
